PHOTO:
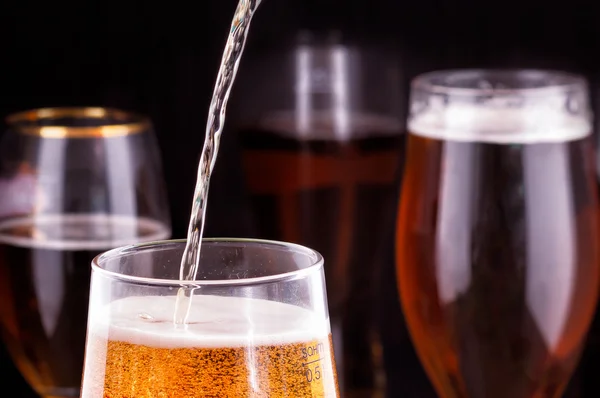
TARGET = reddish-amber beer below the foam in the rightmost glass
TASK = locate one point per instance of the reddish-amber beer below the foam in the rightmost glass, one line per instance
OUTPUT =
(498, 263)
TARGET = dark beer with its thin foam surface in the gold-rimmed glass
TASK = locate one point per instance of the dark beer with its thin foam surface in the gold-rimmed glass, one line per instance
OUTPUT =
(44, 290)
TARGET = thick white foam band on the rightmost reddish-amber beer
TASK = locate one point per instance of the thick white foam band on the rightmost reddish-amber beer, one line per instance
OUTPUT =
(501, 125)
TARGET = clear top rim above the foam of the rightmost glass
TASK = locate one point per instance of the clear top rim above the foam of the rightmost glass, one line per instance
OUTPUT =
(564, 81)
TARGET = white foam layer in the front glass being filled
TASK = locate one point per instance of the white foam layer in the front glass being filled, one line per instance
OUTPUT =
(214, 321)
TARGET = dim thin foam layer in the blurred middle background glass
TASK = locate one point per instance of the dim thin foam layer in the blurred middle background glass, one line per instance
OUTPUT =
(329, 126)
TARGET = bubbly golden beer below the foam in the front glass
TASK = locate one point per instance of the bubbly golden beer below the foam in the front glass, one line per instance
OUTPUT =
(294, 370)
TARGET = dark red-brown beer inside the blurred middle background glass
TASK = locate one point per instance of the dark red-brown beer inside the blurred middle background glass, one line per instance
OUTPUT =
(332, 195)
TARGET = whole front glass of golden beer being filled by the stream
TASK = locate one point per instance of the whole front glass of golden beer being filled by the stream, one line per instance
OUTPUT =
(258, 325)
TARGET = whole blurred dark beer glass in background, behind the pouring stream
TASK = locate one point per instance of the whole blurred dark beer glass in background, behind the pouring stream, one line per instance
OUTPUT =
(322, 137)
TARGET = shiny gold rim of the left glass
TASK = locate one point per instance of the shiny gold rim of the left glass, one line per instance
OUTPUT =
(123, 122)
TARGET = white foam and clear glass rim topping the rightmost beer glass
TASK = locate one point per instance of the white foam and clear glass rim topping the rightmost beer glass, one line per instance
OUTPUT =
(500, 106)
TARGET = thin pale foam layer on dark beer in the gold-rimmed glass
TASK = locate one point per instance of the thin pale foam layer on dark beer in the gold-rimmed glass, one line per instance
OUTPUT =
(80, 231)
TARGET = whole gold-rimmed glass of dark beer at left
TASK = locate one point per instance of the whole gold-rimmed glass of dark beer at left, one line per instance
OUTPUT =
(74, 182)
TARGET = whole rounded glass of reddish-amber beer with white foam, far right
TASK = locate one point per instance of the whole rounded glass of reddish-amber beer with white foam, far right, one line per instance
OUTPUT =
(497, 237)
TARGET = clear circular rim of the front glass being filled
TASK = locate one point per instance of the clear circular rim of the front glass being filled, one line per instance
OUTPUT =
(315, 265)
